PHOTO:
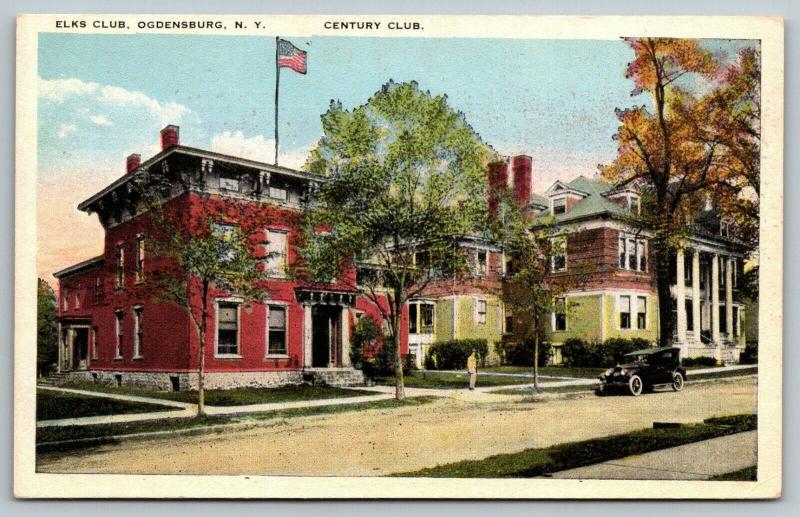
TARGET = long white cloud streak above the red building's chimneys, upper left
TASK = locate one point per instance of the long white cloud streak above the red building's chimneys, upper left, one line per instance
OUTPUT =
(58, 90)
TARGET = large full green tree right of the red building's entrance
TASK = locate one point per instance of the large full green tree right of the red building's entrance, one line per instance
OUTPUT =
(405, 176)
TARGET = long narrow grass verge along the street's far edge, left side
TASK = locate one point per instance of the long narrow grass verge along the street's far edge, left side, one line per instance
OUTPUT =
(45, 436)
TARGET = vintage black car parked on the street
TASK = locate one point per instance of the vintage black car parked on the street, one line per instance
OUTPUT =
(643, 370)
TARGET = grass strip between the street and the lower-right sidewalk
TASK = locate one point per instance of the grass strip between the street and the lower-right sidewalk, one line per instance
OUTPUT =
(538, 462)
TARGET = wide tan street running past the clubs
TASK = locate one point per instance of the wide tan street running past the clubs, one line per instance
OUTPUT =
(384, 441)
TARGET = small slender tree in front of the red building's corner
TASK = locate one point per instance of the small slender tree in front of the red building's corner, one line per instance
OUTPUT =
(199, 252)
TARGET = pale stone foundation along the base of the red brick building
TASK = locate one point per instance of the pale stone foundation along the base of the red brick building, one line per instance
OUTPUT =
(184, 381)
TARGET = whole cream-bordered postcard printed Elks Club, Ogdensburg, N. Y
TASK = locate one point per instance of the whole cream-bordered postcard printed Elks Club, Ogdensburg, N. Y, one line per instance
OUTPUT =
(410, 257)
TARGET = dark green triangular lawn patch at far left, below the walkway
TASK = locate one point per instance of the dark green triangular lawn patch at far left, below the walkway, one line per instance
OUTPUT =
(52, 405)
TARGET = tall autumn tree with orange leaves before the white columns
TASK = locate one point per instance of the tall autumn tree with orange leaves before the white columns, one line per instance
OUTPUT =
(683, 146)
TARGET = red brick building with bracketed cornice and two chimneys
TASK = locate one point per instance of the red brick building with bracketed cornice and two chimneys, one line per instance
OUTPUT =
(113, 331)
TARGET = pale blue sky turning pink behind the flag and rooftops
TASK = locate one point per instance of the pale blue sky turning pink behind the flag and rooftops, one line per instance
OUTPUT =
(102, 97)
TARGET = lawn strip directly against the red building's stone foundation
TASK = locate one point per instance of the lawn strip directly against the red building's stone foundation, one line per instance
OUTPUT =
(232, 397)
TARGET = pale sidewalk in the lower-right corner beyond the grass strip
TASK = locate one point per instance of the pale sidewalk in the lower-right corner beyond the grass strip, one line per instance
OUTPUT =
(695, 461)
